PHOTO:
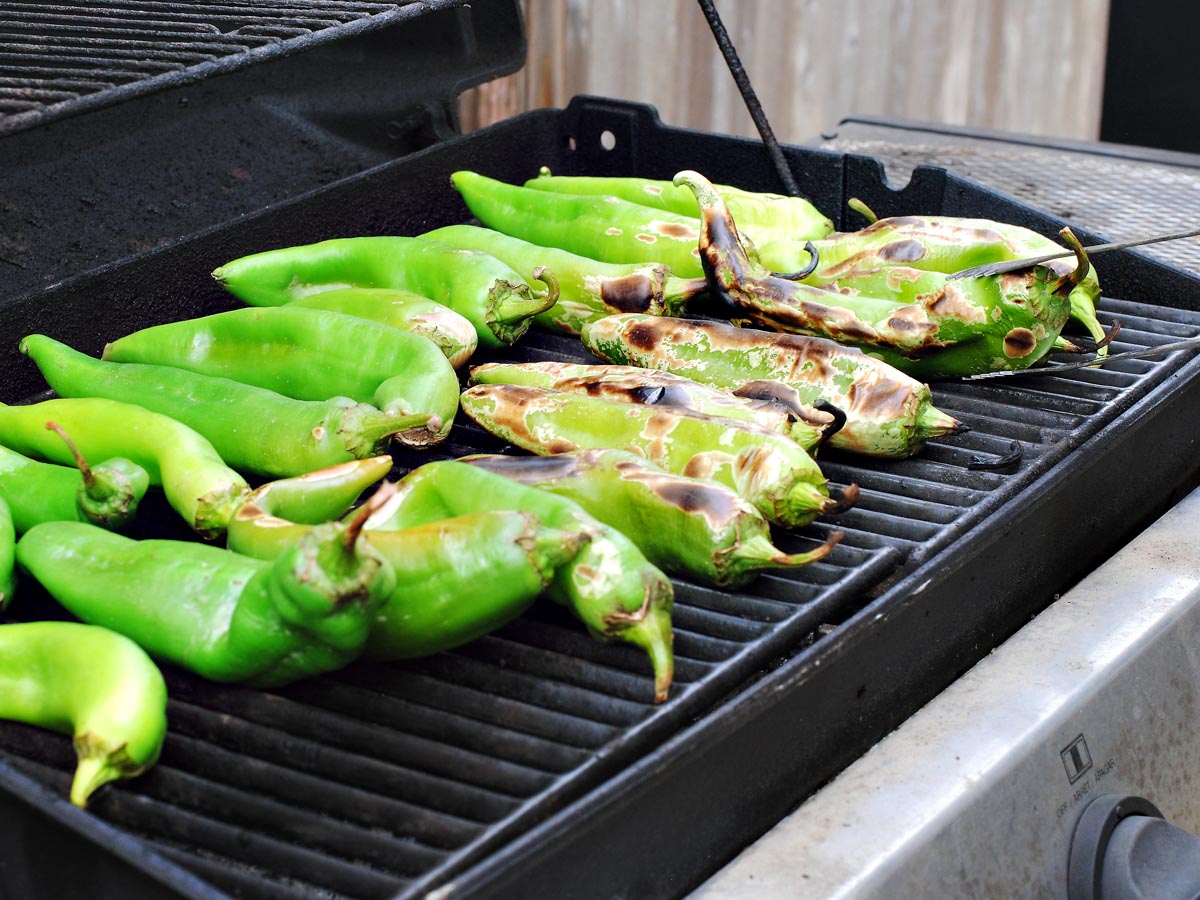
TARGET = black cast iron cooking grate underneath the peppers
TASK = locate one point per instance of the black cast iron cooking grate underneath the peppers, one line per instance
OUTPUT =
(380, 779)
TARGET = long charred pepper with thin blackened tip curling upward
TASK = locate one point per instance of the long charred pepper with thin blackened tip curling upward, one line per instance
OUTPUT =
(962, 328)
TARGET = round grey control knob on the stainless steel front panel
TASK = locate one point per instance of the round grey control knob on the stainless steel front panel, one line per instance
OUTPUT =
(1125, 850)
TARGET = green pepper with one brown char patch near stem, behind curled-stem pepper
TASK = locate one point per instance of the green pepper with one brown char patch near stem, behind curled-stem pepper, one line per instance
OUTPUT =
(587, 290)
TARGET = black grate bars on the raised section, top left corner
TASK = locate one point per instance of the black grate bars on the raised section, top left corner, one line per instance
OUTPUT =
(59, 59)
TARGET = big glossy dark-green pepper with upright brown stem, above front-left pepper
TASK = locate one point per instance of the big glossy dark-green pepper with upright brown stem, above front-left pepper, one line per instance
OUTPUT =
(220, 615)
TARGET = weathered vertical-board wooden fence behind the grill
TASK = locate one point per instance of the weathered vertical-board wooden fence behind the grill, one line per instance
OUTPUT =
(1012, 65)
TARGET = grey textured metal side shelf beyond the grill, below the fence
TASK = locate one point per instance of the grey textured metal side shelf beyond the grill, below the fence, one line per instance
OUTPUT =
(1123, 193)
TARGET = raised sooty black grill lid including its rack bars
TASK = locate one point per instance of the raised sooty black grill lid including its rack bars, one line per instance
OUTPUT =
(127, 124)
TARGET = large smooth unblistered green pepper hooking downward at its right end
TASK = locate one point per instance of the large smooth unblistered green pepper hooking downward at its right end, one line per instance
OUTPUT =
(310, 355)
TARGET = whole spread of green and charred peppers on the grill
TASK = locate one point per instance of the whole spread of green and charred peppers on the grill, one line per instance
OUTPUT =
(683, 455)
